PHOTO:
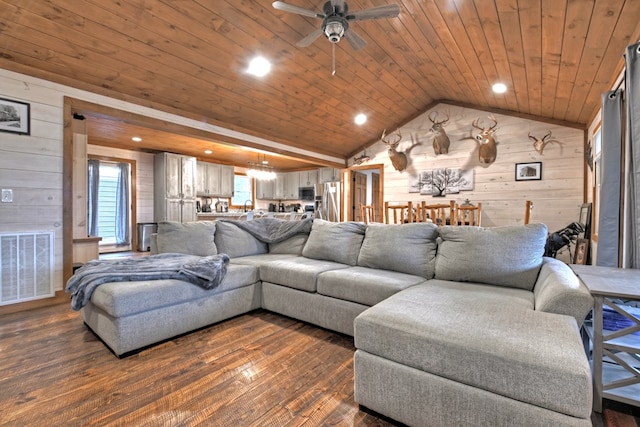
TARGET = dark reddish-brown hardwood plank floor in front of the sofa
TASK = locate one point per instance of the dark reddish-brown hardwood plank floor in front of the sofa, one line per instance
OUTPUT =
(260, 369)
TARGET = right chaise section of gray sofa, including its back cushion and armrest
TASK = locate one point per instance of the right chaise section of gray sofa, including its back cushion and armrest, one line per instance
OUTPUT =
(487, 342)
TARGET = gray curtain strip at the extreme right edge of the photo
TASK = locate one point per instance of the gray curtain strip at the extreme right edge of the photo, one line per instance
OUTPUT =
(632, 211)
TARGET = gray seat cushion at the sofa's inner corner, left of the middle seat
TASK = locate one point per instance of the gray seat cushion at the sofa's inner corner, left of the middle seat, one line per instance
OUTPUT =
(298, 273)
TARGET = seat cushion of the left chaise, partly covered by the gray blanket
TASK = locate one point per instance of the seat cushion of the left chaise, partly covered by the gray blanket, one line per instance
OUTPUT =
(121, 299)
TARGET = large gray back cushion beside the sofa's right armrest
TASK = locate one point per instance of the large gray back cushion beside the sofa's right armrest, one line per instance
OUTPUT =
(504, 256)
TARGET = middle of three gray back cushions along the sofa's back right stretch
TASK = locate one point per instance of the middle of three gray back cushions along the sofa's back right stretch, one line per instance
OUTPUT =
(405, 248)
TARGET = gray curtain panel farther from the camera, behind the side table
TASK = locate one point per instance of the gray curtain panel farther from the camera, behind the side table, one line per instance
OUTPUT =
(609, 221)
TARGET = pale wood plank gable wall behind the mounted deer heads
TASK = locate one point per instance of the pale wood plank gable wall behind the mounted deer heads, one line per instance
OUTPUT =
(560, 190)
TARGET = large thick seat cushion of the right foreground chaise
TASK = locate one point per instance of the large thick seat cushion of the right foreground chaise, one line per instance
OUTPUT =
(487, 337)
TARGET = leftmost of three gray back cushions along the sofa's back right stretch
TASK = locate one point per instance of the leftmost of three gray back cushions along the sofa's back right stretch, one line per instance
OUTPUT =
(335, 241)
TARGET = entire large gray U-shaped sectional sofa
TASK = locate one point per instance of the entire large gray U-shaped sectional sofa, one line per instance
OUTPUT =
(457, 326)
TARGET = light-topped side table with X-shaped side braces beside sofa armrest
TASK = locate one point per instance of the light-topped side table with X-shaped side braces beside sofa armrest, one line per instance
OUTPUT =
(613, 287)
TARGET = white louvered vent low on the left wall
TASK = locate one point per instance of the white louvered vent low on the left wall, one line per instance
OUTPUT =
(26, 266)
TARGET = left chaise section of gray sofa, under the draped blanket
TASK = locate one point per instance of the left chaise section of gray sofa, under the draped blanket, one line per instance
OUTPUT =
(128, 316)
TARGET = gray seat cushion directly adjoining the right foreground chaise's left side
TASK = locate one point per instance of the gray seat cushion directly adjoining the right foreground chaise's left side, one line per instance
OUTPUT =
(363, 285)
